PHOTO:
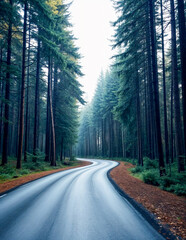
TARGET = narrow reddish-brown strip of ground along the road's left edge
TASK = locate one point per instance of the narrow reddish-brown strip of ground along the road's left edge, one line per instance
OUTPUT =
(12, 183)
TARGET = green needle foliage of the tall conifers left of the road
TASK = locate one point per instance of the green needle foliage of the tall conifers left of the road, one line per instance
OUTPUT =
(47, 23)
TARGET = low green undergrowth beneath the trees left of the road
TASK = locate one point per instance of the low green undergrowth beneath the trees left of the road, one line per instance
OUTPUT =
(9, 171)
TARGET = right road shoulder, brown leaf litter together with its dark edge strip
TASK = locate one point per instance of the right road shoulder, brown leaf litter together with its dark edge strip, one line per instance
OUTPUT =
(164, 210)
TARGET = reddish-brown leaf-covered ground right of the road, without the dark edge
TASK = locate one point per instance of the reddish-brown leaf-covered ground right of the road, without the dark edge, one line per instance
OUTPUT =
(168, 208)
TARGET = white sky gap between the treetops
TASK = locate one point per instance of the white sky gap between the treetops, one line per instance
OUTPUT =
(92, 28)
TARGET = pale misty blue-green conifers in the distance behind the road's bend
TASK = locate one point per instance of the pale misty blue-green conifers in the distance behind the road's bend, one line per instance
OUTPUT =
(98, 113)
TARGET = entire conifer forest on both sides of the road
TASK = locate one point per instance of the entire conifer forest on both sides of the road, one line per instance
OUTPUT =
(139, 108)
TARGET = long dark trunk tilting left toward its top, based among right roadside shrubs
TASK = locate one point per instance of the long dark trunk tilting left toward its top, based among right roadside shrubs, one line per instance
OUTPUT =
(156, 91)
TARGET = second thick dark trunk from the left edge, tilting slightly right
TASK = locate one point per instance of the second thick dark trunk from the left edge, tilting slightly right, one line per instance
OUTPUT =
(21, 124)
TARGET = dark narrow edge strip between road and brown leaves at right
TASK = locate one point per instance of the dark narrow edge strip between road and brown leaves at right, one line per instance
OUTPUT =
(147, 215)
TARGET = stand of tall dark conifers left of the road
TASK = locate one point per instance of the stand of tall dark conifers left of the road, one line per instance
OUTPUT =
(39, 90)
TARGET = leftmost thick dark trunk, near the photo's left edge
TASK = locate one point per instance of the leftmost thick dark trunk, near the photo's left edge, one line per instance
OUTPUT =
(7, 94)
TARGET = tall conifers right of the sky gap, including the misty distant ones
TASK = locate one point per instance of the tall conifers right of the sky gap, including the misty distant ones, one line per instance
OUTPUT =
(139, 107)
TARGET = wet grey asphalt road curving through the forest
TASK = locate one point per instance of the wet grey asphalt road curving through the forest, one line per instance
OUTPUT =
(77, 204)
